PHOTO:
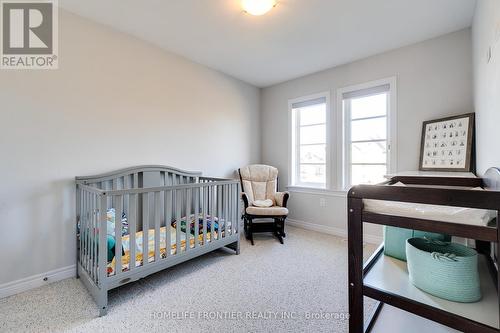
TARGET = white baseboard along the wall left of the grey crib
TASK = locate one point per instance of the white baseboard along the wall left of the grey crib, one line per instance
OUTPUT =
(35, 281)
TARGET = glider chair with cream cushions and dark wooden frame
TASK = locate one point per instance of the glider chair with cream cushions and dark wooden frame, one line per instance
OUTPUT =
(259, 184)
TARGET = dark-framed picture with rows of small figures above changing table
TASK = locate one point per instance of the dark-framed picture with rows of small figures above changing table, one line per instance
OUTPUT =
(446, 143)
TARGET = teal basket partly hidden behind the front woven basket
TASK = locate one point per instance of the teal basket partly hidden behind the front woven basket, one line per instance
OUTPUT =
(395, 240)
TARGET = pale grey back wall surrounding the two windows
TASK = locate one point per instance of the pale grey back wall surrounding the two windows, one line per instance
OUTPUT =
(434, 79)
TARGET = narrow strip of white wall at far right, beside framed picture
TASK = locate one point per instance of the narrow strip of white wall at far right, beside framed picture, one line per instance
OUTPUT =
(486, 33)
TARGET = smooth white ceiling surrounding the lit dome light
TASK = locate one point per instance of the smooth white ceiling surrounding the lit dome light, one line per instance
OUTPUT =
(296, 38)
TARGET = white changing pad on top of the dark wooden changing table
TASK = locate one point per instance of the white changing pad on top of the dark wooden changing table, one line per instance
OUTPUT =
(450, 214)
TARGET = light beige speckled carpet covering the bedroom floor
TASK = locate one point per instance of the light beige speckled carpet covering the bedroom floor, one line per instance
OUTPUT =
(297, 287)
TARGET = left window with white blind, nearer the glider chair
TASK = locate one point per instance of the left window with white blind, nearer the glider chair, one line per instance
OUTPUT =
(309, 144)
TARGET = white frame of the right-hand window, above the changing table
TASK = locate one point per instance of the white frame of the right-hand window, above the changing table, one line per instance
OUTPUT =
(343, 146)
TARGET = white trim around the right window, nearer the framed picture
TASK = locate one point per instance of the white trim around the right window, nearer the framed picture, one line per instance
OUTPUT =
(342, 162)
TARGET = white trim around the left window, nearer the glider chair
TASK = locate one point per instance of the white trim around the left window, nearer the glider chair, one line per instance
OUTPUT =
(292, 143)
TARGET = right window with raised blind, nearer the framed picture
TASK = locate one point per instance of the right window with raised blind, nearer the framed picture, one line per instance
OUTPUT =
(367, 134)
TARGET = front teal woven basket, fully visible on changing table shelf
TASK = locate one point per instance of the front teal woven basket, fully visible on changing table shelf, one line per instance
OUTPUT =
(445, 270)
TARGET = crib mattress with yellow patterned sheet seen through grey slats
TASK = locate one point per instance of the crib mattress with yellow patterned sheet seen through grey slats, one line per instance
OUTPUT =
(151, 246)
